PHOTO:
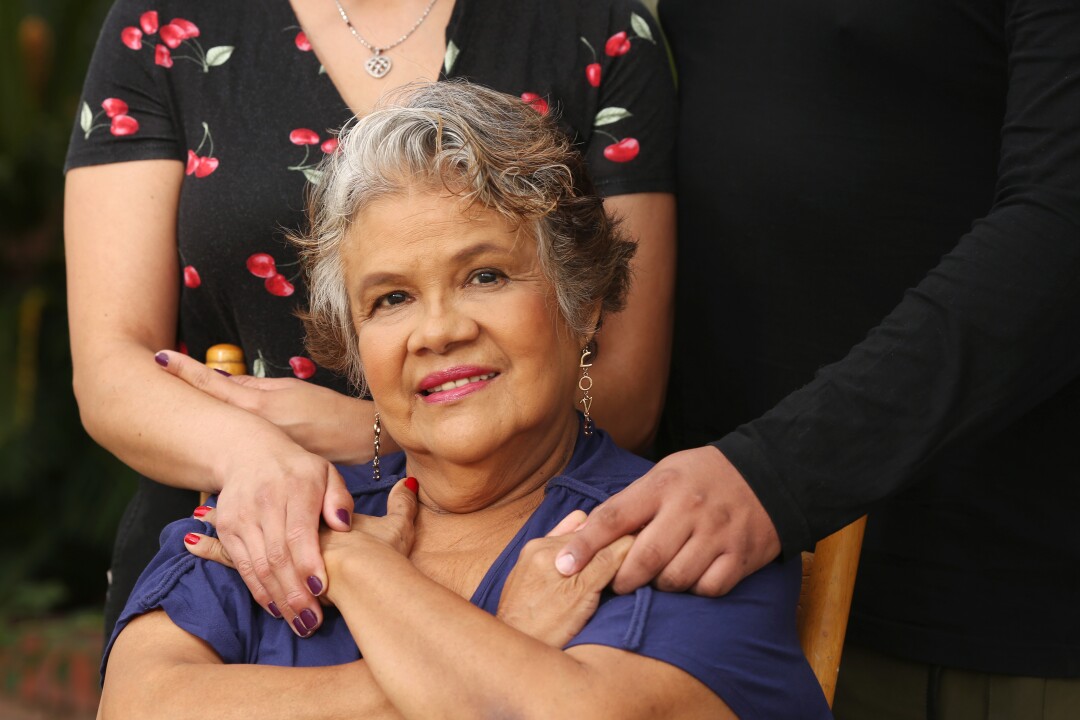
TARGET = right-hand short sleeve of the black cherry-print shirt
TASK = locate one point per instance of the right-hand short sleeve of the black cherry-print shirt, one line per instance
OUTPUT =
(632, 143)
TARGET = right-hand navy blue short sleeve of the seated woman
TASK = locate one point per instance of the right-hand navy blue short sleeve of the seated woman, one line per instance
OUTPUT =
(740, 646)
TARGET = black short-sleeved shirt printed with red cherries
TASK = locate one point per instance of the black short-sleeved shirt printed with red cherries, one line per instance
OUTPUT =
(234, 92)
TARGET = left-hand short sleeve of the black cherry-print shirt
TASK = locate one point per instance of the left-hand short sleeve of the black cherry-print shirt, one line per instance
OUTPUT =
(126, 112)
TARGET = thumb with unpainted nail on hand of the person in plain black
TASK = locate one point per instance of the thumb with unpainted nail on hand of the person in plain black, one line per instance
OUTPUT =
(620, 515)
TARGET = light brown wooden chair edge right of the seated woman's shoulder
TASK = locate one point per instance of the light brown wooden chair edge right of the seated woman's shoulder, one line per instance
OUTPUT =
(829, 582)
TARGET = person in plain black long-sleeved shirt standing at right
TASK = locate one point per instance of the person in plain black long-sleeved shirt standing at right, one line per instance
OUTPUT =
(880, 310)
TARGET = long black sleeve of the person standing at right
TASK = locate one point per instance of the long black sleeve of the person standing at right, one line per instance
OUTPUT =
(993, 332)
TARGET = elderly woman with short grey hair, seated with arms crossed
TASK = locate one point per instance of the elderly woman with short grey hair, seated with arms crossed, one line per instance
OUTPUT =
(461, 265)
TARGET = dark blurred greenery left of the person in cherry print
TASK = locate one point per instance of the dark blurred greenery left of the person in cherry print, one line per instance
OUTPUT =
(62, 496)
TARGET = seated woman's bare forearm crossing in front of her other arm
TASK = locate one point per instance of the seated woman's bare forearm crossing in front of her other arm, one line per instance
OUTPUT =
(436, 656)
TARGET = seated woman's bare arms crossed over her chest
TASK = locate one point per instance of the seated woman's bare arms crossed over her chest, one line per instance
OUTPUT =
(428, 653)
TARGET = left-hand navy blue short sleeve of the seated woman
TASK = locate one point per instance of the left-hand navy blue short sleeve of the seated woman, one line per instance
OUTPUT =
(204, 599)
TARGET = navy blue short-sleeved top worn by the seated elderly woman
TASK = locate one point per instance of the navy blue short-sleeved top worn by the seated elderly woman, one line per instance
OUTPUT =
(745, 646)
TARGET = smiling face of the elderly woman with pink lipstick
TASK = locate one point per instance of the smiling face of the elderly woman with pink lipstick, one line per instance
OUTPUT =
(463, 345)
